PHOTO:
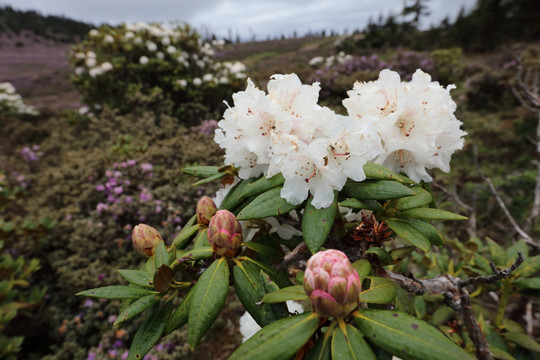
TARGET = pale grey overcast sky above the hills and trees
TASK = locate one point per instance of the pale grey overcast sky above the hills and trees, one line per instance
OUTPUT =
(243, 17)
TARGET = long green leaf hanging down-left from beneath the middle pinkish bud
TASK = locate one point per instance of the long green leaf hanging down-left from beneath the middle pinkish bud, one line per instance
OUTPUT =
(209, 297)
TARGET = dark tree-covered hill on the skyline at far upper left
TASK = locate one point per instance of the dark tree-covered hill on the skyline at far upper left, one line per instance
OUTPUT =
(57, 28)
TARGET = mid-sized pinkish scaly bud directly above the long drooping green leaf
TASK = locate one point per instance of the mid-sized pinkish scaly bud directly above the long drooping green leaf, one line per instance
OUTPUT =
(224, 233)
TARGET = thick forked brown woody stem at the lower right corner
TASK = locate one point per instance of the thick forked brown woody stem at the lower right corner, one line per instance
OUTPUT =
(457, 297)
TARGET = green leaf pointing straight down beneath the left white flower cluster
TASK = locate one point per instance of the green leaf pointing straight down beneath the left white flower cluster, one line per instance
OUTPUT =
(317, 223)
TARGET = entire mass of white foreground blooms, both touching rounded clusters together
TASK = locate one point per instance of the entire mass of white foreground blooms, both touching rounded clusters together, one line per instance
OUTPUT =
(406, 126)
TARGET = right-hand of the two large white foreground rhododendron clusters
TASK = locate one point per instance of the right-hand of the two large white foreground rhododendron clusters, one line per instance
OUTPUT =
(415, 121)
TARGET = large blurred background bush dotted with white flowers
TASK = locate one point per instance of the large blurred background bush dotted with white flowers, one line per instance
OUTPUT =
(115, 64)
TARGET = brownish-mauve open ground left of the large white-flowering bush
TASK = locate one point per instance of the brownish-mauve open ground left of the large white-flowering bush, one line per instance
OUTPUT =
(39, 70)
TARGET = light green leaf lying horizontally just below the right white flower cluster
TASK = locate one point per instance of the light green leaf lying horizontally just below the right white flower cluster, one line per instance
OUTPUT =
(376, 190)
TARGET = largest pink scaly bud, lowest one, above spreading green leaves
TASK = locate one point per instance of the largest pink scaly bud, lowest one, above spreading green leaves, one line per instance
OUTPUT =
(332, 284)
